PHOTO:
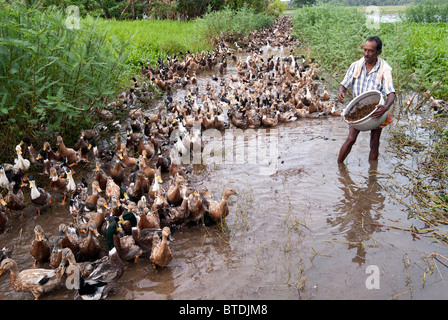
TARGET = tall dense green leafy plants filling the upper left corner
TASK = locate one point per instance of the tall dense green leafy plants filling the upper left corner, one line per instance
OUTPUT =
(52, 78)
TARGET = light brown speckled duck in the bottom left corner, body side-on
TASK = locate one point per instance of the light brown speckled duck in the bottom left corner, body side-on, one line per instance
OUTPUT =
(36, 281)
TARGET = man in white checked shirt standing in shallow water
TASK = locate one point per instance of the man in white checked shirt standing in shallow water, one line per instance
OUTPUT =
(369, 73)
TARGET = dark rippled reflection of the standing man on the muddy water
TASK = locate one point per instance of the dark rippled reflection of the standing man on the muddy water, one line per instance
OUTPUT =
(360, 207)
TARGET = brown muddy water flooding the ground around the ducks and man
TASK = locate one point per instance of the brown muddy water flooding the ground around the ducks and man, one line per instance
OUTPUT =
(308, 229)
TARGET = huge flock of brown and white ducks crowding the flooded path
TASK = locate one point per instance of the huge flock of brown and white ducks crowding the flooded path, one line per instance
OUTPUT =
(126, 206)
